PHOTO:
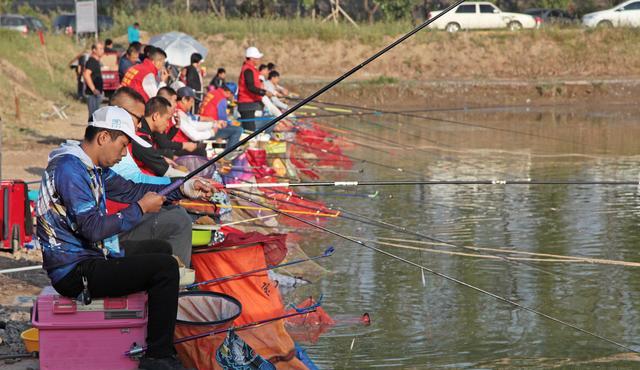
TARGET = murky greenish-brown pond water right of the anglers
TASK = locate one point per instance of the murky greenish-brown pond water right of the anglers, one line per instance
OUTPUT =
(434, 323)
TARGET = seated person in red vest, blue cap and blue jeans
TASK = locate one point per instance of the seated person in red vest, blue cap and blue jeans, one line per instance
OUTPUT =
(214, 106)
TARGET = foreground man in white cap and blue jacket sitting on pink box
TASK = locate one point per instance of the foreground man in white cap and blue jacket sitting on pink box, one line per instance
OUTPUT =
(81, 251)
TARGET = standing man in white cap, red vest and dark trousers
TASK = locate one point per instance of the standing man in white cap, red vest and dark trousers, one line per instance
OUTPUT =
(250, 89)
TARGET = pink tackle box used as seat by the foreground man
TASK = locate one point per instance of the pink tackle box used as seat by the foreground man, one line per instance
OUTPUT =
(74, 336)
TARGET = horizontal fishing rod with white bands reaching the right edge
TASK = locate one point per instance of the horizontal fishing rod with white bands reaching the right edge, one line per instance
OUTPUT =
(428, 182)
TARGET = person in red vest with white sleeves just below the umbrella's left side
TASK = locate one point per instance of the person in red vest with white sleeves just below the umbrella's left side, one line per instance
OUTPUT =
(142, 77)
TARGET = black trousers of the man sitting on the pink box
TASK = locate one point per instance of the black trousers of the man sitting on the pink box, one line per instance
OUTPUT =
(148, 267)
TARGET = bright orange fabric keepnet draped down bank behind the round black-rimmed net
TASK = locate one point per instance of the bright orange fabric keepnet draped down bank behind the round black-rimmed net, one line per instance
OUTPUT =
(260, 300)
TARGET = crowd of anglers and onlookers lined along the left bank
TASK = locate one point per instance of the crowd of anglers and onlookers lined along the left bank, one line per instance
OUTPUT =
(105, 222)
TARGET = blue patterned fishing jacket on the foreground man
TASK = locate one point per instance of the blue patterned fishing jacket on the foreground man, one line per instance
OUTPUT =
(73, 224)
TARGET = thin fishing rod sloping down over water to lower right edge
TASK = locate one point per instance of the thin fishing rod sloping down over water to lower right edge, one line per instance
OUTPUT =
(447, 277)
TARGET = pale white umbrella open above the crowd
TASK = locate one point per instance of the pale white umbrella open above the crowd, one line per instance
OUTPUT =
(179, 47)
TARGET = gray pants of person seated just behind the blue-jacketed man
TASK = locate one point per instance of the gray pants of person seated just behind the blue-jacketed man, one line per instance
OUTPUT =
(171, 224)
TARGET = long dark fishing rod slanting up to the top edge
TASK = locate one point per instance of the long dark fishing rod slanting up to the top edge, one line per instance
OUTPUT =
(175, 185)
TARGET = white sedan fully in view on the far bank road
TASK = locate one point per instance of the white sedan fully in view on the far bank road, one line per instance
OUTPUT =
(480, 15)
